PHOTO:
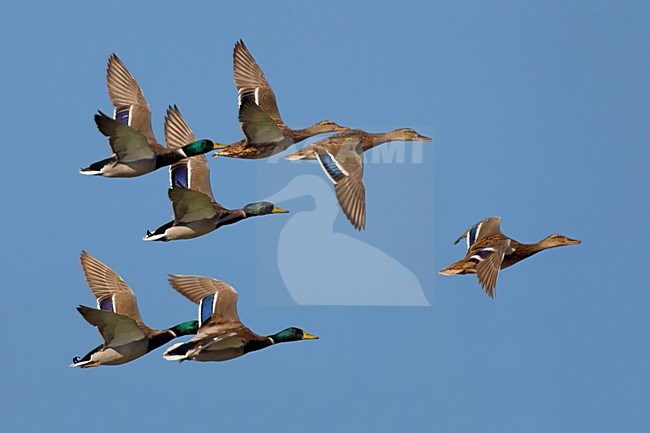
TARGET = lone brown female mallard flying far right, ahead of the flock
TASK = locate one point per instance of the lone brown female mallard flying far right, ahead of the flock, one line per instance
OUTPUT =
(489, 250)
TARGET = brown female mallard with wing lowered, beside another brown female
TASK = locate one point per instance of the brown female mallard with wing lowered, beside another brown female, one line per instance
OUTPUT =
(341, 158)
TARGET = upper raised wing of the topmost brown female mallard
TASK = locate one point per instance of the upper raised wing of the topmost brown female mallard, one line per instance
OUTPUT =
(249, 79)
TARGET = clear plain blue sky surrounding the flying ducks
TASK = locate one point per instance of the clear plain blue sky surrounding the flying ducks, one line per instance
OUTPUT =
(540, 115)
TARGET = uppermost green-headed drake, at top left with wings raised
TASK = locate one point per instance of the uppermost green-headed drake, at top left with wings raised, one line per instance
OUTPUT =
(135, 149)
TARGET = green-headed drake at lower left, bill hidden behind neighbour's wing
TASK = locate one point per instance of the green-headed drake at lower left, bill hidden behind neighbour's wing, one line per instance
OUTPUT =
(118, 320)
